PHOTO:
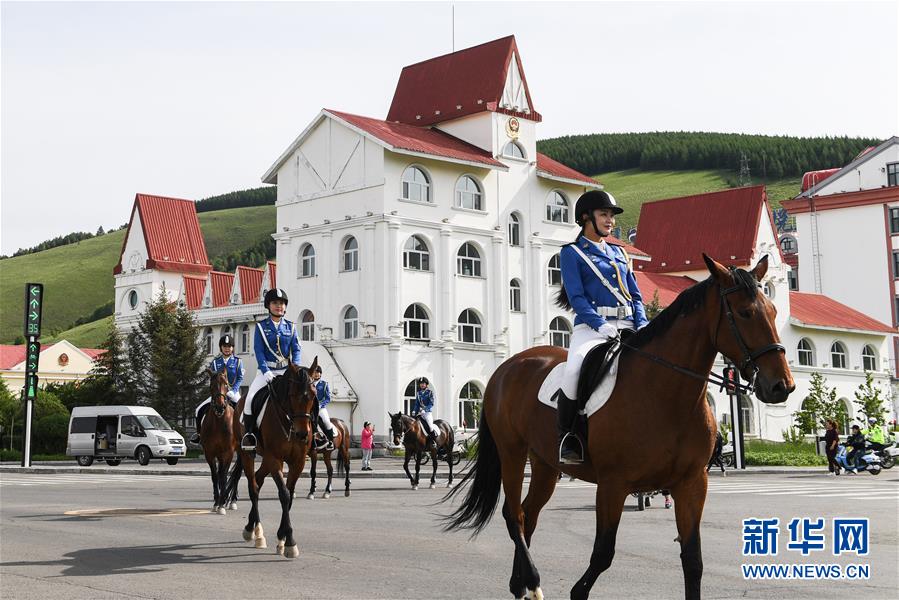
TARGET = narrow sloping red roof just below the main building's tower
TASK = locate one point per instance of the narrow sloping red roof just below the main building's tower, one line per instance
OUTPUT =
(419, 139)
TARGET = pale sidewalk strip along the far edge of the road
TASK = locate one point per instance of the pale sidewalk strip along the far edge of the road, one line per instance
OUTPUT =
(386, 467)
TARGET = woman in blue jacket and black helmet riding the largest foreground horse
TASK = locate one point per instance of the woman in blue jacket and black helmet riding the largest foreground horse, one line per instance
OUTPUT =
(601, 289)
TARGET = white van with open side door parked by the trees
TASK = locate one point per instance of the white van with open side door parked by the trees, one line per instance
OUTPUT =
(116, 432)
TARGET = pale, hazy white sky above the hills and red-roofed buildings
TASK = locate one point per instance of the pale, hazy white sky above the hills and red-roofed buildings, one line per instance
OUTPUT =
(100, 101)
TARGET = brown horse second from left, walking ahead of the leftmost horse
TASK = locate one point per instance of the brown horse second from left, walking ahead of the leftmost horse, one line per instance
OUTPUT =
(284, 436)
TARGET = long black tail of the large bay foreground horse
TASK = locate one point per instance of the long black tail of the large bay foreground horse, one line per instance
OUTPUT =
(483, 481)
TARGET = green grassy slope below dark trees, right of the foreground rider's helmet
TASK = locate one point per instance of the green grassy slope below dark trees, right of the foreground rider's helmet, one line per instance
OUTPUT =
(633, 187)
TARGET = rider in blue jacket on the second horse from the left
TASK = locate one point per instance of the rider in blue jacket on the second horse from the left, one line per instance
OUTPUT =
(275, 345)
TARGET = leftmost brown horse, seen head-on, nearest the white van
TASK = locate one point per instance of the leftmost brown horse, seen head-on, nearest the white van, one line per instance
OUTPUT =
(219, 444)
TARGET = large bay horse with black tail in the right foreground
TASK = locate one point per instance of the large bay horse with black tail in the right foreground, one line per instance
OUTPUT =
(659, 395)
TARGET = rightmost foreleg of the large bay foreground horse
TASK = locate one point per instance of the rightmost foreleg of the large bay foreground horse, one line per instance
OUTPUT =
(689, 498)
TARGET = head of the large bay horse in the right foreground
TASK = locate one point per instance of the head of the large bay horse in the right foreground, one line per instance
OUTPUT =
(745, 331)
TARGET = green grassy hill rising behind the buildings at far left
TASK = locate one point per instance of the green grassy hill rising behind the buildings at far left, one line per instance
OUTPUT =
(78, 278)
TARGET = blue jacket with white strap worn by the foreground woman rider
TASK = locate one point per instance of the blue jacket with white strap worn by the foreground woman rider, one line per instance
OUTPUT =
(586, 291)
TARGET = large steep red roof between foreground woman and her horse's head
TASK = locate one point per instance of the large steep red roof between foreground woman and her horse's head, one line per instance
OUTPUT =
(724, 225)
